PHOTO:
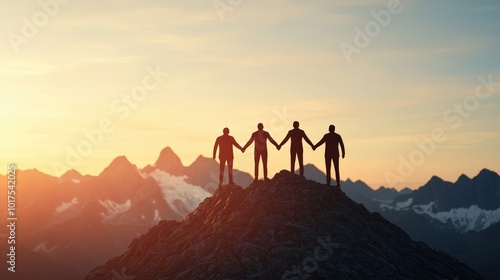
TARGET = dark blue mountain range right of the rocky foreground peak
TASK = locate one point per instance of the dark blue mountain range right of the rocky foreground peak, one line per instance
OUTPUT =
(460, 218)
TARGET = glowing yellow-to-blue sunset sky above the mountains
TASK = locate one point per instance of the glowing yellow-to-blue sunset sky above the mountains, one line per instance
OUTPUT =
(258, 61)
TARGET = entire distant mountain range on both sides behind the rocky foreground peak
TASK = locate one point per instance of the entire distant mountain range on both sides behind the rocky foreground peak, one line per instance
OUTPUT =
(78, 222)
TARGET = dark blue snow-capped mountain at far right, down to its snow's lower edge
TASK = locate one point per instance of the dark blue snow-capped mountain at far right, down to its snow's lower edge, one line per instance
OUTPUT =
(467, 205)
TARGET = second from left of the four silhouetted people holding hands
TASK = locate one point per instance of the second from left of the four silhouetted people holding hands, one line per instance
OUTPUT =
(260, 138)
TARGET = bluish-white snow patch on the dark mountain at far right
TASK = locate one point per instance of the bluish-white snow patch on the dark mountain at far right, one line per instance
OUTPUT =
(463, 219)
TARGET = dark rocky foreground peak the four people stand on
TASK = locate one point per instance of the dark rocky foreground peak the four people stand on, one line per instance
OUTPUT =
(286, 228)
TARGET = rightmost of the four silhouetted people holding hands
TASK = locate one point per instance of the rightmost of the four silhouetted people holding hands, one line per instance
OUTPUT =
(332, 141)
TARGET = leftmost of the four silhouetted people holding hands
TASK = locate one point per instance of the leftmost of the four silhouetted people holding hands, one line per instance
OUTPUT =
(225, 143)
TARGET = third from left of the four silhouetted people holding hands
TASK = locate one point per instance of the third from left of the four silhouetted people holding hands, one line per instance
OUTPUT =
(296, 149)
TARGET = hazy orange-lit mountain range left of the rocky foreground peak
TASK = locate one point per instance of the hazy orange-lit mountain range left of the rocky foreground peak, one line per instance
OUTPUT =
(80, 221)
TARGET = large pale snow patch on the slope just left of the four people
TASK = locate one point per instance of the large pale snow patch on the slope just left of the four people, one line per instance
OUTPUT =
(175, 189)
